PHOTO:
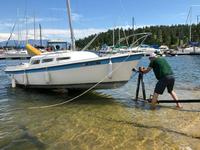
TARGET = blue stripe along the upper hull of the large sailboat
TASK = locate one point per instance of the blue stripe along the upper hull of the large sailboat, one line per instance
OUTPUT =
(78, 65)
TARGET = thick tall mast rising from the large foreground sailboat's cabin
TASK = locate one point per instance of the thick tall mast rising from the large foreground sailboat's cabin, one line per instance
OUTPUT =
(73, 47)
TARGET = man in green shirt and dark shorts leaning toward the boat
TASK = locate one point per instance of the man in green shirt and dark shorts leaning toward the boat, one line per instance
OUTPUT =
(164, 74)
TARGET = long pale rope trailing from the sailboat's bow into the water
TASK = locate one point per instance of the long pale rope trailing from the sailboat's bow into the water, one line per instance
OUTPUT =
(72, 99)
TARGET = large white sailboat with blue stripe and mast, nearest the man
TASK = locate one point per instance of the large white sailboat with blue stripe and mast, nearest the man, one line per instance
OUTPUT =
(73, 69)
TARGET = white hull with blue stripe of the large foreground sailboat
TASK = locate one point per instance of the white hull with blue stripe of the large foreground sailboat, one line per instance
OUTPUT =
(79, 75)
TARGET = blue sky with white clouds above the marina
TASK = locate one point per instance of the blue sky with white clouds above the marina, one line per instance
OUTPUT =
(89, 16)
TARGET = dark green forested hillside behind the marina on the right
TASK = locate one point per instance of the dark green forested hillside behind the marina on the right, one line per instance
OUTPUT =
(173, 36)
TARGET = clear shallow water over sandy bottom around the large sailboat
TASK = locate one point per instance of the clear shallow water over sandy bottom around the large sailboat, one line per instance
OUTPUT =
(103, 119)
